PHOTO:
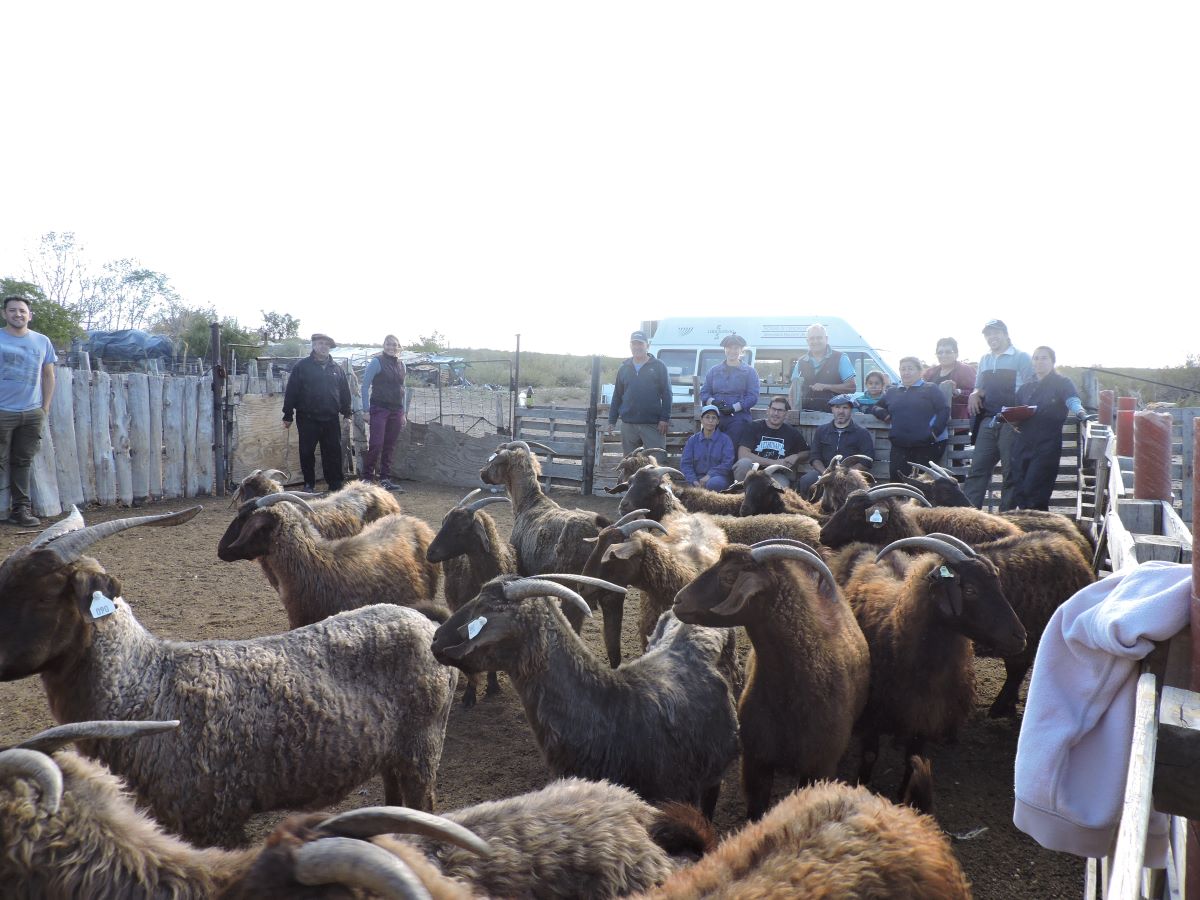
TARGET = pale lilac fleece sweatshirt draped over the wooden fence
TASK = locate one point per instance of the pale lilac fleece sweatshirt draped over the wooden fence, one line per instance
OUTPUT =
(1073, 753)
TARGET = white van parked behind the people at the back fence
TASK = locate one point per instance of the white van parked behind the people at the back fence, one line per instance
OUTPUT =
(692, 346)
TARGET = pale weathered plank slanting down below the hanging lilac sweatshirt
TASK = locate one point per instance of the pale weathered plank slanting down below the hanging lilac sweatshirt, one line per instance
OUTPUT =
(1131, 848)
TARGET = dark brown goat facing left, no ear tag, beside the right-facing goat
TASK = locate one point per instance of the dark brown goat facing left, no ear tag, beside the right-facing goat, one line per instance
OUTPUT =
(808, 679)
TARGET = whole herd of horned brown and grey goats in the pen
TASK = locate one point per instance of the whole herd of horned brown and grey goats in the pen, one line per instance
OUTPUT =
(865, 607)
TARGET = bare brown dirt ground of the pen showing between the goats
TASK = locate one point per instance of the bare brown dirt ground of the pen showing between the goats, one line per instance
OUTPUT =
(179, 590)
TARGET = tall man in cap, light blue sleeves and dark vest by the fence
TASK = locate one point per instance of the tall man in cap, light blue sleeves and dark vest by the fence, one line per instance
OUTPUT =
(1001, 374)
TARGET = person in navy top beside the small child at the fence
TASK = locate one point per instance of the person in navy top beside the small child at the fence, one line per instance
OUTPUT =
(917, 412)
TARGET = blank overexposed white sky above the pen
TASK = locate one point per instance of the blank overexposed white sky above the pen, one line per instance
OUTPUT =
(566, 171)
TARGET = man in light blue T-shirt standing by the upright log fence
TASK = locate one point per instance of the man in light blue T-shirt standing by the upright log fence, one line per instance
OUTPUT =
(27, 387)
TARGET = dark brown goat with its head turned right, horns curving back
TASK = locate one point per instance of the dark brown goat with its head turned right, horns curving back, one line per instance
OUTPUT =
(920, 629)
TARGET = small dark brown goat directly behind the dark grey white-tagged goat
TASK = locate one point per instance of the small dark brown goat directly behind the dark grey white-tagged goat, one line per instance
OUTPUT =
(472, 554)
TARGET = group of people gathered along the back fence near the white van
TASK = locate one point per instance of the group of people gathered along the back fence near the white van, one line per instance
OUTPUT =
(919, 412)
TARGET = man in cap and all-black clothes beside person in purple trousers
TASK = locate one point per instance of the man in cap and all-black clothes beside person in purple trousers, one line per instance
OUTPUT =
(316, 394)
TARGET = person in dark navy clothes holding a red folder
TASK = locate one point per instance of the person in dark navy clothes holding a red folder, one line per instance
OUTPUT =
(1037, 449)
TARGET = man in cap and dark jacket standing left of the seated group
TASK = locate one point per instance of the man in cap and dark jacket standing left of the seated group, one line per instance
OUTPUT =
(641, 399)
